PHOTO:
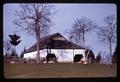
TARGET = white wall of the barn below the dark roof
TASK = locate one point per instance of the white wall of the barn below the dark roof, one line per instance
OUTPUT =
(63, 55)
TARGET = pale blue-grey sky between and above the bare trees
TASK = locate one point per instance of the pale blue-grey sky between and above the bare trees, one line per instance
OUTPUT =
(63, 19)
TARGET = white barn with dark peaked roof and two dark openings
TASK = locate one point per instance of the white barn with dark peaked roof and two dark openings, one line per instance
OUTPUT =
(64, 50)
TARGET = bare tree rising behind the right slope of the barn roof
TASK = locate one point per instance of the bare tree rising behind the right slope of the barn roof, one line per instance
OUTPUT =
(79, 28)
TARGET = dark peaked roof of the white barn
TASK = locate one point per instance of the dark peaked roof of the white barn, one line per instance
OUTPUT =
(54, 41)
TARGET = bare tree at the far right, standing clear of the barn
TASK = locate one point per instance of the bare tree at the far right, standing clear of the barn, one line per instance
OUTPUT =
(107, 33)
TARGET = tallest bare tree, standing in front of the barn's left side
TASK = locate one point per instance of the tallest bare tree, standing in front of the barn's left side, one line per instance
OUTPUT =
(34, 19)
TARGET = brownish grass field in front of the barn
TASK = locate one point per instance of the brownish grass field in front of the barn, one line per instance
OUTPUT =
(58, 70)
